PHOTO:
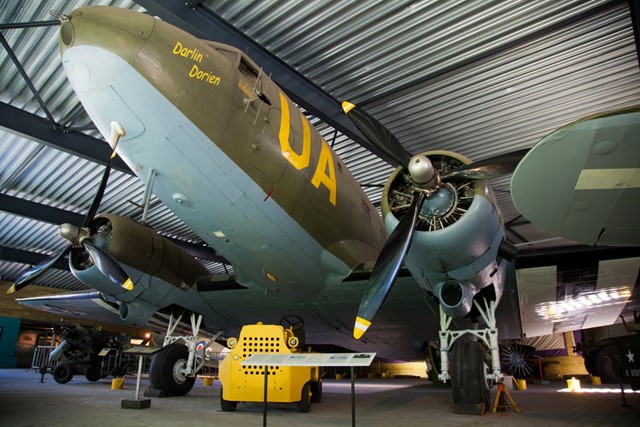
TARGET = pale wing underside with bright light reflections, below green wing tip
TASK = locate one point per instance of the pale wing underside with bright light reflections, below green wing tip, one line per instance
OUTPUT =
(567, 289)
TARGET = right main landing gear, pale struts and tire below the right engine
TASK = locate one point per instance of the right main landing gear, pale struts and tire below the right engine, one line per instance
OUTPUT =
(470, 378)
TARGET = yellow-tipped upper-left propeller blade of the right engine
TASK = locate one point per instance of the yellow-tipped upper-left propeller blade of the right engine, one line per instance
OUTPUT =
(377, 134)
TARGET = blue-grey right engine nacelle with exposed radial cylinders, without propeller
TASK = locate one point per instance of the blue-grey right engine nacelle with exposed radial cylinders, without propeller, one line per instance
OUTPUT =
(455, 246)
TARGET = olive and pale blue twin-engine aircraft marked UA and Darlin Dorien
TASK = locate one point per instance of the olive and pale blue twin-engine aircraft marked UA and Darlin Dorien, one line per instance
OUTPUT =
(220, 144)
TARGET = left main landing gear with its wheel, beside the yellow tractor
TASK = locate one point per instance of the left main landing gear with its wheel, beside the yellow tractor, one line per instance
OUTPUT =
(173, 370)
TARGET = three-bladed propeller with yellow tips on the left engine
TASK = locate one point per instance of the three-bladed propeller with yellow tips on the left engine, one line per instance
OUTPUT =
(81, 237)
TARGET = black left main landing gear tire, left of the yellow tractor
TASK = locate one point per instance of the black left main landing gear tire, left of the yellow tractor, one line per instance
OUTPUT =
(164, 372)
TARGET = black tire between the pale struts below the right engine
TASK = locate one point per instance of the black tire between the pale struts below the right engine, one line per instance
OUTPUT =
(468, 377)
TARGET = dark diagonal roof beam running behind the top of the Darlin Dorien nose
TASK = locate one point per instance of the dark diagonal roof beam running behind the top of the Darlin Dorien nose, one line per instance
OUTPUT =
(203, 23)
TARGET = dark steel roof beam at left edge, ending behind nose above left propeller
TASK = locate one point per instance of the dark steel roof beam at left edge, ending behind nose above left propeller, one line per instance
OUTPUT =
(38, 129)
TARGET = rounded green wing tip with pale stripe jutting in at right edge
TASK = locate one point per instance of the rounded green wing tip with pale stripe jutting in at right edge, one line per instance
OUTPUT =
(590, 188)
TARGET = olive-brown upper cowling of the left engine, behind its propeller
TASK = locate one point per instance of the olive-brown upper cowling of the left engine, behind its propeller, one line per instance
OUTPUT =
(141, 248)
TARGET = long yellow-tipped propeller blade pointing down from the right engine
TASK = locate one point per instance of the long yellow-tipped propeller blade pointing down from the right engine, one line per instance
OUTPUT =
(387, 267)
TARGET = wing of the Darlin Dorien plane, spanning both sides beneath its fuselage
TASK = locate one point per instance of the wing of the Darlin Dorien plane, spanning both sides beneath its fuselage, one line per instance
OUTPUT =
(547, 291)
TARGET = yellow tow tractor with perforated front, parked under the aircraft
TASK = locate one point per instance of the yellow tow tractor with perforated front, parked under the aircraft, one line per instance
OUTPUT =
(286, 384)
